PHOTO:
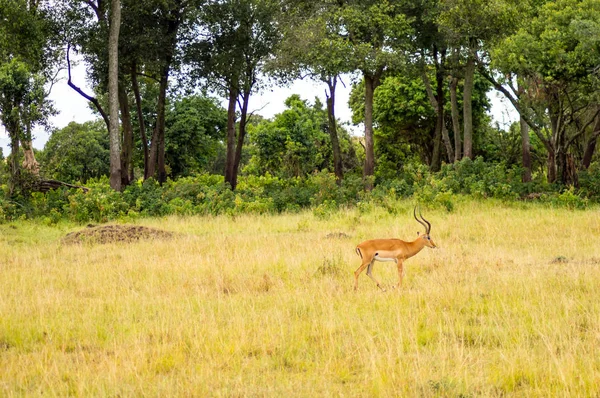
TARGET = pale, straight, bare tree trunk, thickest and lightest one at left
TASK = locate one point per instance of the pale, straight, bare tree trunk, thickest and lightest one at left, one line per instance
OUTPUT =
(113, 95)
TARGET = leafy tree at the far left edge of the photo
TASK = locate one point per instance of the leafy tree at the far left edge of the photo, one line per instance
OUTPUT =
(26, 62)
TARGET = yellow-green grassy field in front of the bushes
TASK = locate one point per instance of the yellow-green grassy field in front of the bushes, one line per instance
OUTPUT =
(509, 305)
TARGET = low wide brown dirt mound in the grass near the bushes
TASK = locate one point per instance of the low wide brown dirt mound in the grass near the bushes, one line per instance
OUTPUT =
(115, 234)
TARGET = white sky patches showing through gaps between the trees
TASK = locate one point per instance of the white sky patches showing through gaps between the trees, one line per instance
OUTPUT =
(74, 108)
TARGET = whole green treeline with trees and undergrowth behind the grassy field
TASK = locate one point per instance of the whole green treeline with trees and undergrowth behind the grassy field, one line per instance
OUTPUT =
(420, 72)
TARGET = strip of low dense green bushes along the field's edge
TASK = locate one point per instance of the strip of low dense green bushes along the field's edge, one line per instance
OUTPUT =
(208, 194)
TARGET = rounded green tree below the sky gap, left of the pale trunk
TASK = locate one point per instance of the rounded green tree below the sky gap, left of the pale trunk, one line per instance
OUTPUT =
(77, 152)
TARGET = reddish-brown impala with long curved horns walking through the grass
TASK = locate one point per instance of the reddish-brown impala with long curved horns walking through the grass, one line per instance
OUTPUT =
(394, 250)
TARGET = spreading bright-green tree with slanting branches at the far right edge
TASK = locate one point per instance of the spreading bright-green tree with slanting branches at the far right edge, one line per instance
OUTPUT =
(552, 57)
